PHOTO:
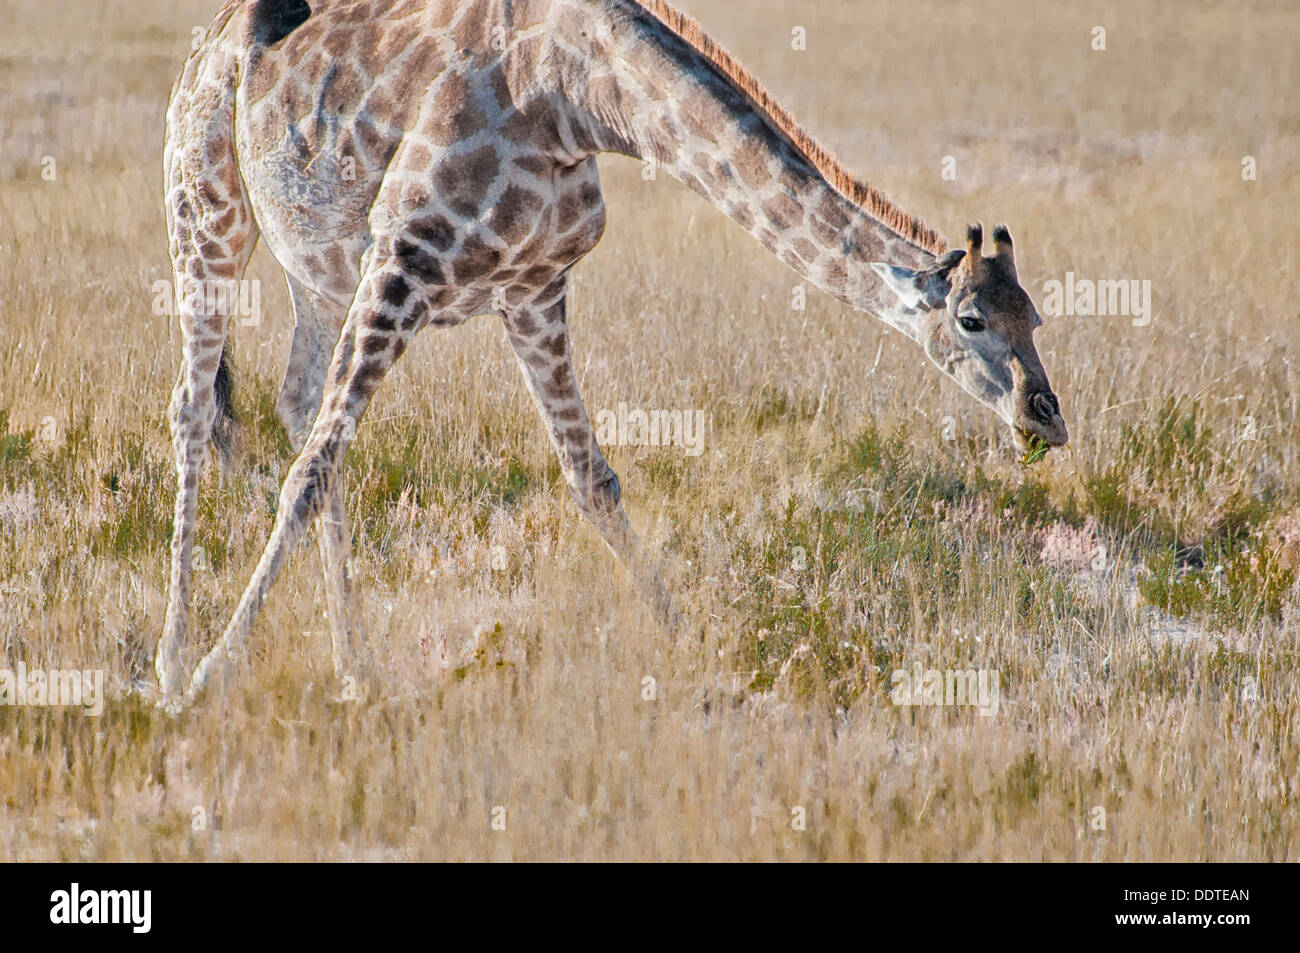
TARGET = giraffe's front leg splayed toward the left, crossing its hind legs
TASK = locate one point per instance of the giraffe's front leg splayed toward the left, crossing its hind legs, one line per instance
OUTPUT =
(387, 314)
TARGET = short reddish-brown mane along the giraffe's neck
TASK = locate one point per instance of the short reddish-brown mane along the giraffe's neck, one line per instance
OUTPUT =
(870, 200)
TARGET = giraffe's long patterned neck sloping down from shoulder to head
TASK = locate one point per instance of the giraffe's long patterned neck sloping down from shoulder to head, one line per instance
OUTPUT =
(666, 101)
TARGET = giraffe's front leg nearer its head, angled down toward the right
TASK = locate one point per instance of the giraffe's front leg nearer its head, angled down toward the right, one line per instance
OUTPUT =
(539, 336)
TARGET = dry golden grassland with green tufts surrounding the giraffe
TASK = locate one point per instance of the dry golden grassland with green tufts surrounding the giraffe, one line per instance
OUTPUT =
(852, 514)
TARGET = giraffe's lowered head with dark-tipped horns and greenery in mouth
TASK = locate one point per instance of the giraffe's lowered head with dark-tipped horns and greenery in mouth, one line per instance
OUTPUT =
(977, 324)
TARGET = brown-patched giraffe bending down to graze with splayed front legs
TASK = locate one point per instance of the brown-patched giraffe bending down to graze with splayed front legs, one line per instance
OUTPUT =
(415, 163)
